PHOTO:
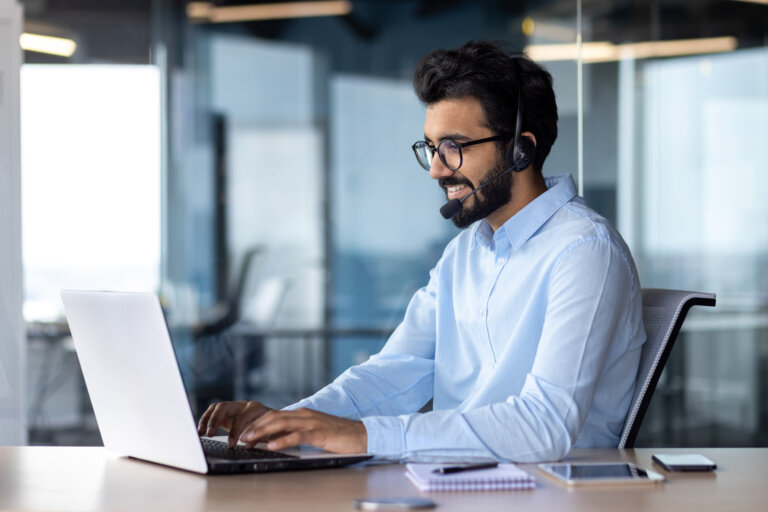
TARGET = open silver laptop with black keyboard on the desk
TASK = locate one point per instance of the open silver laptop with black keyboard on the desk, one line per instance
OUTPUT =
(138, 396)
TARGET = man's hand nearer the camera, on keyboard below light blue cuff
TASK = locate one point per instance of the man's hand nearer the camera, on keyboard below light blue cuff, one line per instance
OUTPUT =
(304, 426)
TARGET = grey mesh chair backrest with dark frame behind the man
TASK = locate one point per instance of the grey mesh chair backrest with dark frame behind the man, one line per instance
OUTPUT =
(663, 314)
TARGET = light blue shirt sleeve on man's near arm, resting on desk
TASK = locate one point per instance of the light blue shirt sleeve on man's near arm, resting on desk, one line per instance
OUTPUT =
(593, 292)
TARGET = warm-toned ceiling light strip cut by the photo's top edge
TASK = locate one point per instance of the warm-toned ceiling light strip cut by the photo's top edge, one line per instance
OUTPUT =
(207, 12)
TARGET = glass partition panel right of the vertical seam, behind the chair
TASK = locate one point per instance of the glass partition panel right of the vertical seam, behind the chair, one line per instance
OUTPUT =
(674, 133)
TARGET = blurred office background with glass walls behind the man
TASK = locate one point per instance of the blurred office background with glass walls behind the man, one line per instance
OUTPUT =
(258, 176)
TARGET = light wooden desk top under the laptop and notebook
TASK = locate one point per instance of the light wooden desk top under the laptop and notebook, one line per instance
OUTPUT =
(43, 478)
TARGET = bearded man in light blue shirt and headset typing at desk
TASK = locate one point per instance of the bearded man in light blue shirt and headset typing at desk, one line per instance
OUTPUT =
(527, 336)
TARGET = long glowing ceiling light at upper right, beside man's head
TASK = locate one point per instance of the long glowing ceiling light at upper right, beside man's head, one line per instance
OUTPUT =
(607, 52)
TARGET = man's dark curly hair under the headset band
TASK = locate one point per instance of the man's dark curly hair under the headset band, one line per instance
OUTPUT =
(490, 73)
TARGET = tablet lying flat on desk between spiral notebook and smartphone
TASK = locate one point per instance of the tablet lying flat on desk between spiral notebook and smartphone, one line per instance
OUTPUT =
(601, 473)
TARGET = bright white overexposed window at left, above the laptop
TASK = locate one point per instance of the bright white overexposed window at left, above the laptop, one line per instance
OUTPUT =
(90, 181)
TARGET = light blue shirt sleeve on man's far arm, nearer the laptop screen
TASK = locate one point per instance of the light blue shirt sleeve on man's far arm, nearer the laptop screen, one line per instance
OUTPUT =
(397, 380)
